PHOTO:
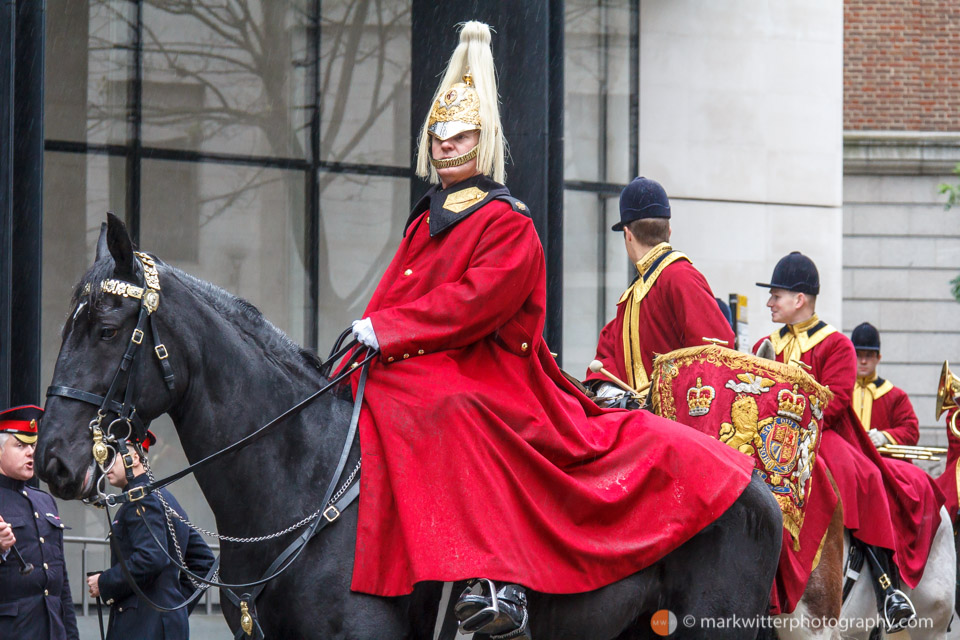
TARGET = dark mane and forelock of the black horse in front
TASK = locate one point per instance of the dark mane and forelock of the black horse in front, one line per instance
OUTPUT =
(240, 312)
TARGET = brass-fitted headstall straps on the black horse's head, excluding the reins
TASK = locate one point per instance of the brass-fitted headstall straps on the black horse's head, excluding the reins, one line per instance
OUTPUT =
(106, 439)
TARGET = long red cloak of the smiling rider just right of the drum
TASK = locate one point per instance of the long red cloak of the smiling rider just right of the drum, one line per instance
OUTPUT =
(886, 503)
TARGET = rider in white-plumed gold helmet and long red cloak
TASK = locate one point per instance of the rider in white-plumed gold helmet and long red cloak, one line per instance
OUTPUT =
(479, 458)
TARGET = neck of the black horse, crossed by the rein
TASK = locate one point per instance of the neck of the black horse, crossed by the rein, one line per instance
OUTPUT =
(235, 386)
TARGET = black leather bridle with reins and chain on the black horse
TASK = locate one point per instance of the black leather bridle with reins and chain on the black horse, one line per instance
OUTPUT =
(105, 440)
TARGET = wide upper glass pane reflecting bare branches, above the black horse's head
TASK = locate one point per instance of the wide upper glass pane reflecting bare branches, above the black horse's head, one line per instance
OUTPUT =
(226, 77)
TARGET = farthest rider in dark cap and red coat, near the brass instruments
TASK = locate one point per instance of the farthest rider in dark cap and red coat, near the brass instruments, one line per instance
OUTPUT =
(883, 409)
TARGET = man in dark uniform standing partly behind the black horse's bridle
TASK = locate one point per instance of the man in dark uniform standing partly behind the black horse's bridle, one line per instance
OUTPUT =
(151, 568)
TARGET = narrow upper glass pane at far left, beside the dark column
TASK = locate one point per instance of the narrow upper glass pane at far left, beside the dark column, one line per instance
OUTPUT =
(88, 65)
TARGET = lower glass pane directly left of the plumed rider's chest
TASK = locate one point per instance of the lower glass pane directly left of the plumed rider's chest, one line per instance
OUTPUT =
(361, 225)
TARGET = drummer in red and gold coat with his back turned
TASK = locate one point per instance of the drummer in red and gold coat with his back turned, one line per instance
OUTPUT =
(668, 306)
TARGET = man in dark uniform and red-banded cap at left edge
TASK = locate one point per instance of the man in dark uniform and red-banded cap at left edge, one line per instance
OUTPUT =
(34, 605)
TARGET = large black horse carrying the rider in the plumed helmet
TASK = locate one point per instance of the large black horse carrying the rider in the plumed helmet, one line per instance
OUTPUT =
(235, 371)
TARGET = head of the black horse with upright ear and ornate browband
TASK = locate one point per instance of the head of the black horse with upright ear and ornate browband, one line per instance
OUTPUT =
(97, 335)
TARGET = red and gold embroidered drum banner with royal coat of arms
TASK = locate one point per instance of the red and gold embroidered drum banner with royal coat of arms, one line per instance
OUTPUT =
(765, 409)
